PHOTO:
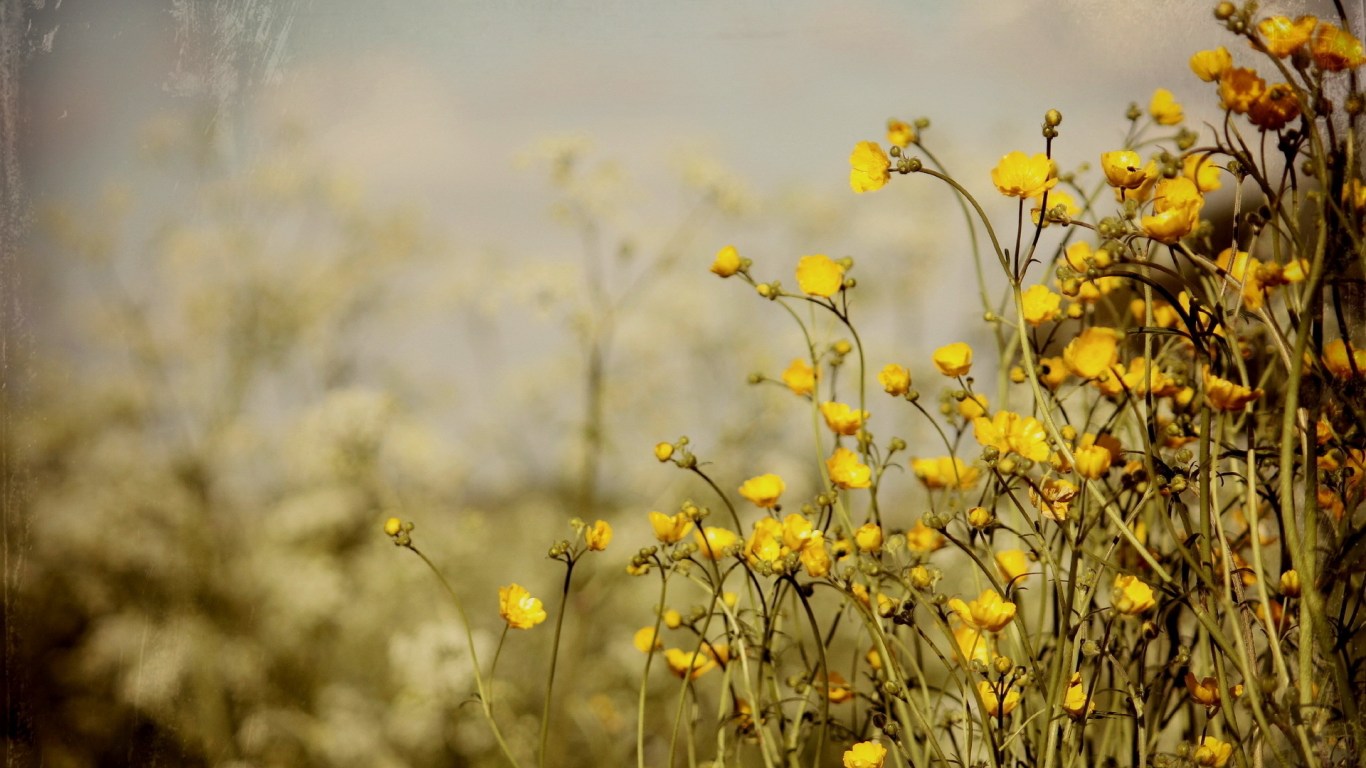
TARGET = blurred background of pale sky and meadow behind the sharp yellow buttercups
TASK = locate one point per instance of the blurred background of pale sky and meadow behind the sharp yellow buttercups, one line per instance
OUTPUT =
(278, 270)
